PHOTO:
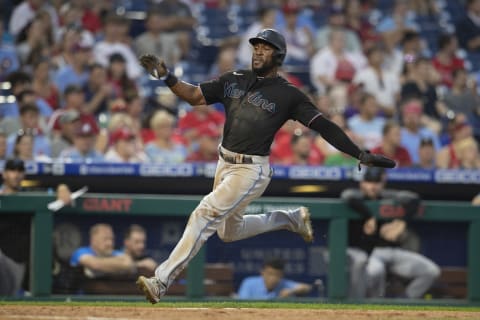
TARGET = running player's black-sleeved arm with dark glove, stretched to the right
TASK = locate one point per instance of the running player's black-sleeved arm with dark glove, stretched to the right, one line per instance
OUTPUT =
(338, 138)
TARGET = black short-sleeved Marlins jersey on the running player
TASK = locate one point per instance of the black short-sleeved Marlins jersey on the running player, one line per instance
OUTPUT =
(256, 108)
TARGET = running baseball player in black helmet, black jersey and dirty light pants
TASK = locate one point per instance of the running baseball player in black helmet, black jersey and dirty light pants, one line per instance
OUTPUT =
(257, 103)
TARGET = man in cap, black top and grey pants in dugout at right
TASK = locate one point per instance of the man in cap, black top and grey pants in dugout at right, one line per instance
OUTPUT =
(391, 246)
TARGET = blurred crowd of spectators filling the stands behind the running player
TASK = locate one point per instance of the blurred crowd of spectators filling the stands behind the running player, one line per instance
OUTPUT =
(72, 89)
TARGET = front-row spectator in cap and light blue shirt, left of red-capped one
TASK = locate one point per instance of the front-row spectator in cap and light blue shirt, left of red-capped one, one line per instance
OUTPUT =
(83, 147)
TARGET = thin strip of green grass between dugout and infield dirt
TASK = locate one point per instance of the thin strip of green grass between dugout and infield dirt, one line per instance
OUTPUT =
(249, 304)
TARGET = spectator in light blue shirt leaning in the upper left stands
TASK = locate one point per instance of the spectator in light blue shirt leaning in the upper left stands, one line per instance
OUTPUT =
(76, 71)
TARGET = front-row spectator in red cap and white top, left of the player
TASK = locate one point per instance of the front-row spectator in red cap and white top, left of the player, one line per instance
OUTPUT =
(122, 147)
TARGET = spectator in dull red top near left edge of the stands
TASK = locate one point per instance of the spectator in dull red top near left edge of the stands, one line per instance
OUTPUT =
(43, 85)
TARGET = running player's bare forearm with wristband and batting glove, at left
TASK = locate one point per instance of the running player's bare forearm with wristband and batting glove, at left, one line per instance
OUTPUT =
(156, 68)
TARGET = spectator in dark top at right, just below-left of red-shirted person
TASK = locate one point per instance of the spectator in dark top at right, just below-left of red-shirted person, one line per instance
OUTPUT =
(418, 84)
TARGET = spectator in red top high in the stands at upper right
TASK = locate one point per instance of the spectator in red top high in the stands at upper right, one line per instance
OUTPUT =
(446, 60)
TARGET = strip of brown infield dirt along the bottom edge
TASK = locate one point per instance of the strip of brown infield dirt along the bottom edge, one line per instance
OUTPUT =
(17, 312)
